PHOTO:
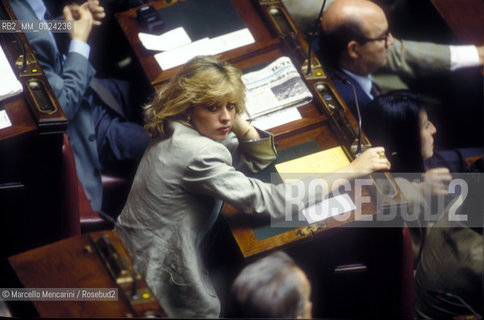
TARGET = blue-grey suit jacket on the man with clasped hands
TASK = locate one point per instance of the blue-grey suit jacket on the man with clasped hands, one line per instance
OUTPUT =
(70, 81)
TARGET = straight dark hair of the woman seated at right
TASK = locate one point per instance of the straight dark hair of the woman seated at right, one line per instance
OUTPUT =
(392, 121)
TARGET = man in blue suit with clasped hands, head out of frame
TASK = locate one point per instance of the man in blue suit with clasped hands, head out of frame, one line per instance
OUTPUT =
(96, 109)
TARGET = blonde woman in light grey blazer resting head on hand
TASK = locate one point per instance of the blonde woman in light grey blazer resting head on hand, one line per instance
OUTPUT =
(199, 144)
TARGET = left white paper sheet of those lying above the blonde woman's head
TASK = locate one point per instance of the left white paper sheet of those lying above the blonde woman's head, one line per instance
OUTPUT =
(167, 41)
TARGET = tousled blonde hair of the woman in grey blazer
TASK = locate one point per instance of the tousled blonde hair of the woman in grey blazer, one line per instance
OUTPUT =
(202, 80)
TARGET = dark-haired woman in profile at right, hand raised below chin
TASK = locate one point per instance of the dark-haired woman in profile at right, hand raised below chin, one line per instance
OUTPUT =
(399, 122)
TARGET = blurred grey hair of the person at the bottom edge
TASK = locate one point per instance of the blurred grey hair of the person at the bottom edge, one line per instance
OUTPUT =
(268, 288)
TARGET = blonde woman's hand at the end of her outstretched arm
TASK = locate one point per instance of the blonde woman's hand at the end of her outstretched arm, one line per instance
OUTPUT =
(371, 160)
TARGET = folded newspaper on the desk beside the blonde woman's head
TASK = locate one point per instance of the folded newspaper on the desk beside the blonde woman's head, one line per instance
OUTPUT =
(274, 87)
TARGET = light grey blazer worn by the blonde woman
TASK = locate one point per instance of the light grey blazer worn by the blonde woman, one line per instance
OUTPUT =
(170, 206)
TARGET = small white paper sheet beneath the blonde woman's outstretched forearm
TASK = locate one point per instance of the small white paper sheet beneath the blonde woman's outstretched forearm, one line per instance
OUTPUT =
(329, 208)
